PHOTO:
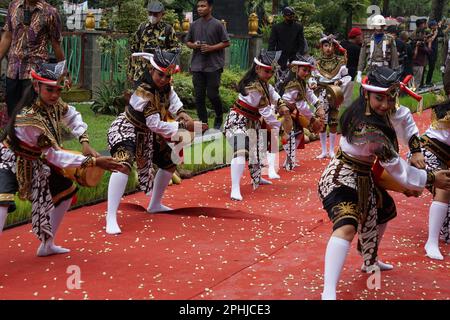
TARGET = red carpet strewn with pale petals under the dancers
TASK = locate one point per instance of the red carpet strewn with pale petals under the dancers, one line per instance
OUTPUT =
(269, 246)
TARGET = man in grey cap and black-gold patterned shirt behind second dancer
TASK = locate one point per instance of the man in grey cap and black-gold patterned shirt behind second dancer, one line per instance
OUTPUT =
(151, 35)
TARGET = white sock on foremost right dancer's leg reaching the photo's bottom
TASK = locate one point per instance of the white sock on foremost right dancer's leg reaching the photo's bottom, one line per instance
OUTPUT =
(337, 250)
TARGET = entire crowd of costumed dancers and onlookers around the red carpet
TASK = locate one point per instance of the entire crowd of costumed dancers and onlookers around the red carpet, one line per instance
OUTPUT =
(308, 94)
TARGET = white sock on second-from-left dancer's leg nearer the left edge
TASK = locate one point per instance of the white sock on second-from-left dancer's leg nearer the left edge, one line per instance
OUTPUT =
(116, 188)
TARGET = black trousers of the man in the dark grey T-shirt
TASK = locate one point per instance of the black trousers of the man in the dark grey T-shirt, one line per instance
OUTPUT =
(207, 84)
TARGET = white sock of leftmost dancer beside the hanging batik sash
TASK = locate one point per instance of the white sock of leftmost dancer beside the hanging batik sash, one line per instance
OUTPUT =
(48, 247)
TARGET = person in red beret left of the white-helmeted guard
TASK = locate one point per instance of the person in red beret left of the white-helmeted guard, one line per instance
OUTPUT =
(353, 47)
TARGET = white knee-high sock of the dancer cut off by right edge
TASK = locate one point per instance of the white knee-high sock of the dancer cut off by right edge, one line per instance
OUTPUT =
(438, 212)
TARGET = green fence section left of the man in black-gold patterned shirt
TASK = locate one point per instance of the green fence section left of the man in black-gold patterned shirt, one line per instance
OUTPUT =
(114, 62)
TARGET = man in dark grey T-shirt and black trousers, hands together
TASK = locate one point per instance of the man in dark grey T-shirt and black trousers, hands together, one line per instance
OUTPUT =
(208, 38)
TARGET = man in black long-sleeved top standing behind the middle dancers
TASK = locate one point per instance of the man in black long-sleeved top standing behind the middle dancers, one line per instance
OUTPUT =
(288, 37)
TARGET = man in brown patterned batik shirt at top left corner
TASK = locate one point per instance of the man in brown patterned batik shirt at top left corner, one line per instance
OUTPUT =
(31, 25)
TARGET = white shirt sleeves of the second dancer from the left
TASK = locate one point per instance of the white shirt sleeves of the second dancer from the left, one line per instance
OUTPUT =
(154, 121)
